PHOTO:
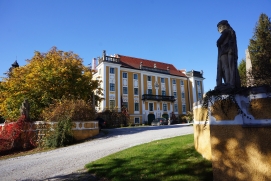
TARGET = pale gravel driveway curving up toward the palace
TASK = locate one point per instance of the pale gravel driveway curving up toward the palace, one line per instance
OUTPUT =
(64, 161)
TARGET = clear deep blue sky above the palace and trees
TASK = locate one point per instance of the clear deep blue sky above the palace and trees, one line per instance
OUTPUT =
(179, 32)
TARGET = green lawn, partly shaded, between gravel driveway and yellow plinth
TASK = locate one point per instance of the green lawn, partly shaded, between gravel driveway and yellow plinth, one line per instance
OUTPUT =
(168, 159)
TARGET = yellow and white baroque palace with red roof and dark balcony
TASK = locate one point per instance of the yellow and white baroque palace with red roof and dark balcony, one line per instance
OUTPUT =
(148, 89)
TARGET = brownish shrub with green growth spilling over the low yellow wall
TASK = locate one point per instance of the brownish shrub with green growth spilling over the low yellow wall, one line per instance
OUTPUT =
(63, 112)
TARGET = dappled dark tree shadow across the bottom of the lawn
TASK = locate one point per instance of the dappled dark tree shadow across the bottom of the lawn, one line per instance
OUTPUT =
(190, 166)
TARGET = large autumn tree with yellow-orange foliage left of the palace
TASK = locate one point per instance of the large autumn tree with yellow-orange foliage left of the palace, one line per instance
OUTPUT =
(46, 77)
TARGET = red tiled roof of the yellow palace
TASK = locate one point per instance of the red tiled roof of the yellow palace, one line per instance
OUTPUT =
(135, 63)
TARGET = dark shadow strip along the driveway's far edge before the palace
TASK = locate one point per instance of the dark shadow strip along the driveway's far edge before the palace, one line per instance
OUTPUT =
(107, 133)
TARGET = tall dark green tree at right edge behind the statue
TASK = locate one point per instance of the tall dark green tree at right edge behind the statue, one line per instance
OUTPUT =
(260, 52)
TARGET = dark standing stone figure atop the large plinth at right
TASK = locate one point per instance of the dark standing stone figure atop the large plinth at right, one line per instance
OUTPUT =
(227, 58)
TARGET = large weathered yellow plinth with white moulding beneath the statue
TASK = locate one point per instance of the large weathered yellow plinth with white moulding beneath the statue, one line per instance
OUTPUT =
(240, 146)
